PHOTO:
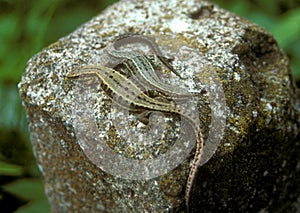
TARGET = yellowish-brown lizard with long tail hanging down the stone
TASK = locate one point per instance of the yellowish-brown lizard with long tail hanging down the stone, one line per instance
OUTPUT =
(127, 94)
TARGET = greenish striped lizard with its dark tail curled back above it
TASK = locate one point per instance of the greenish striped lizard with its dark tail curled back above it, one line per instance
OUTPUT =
(142, 68)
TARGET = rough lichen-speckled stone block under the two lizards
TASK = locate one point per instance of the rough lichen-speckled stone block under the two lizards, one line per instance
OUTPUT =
(256, 167)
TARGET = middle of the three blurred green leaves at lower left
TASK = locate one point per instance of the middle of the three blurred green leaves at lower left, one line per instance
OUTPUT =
(27, 189)
